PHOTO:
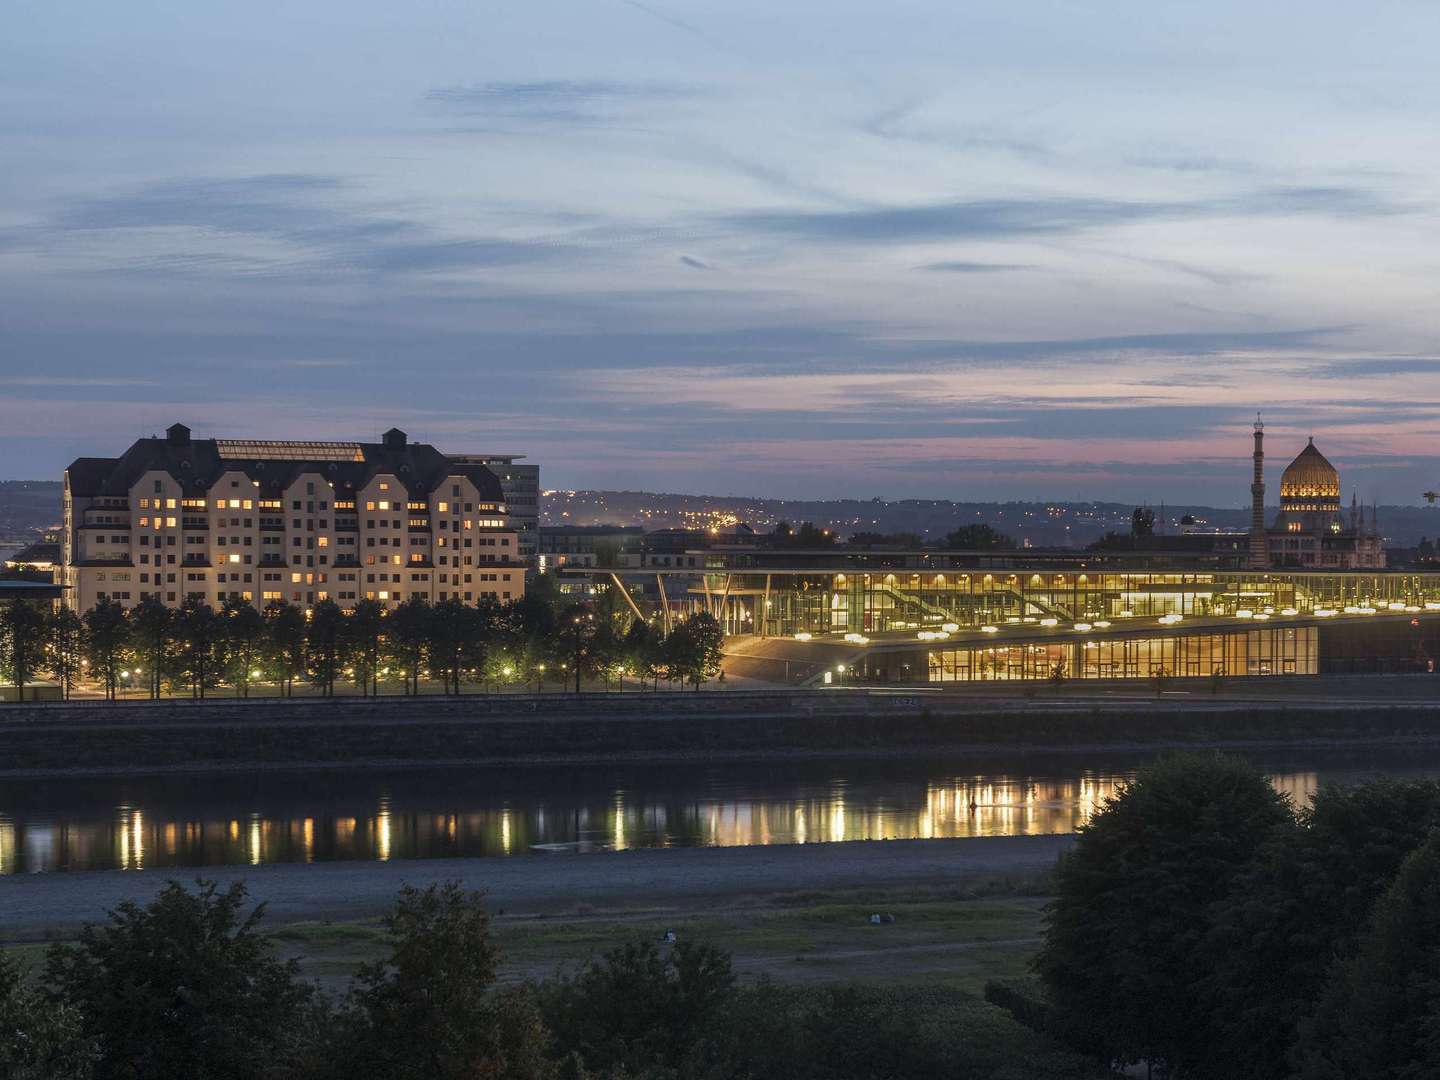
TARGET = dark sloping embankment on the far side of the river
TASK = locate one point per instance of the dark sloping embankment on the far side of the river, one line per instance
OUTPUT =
(214, 737)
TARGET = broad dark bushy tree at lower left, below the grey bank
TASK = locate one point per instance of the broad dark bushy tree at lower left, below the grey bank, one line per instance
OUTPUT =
(184, 987)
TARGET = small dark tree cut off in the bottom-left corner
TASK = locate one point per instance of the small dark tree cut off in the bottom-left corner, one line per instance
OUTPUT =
(40, 1040)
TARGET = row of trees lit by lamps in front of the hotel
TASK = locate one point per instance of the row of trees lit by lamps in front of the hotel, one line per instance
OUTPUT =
(197, 649)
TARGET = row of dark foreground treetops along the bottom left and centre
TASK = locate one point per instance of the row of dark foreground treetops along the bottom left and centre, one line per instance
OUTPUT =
(188, 987)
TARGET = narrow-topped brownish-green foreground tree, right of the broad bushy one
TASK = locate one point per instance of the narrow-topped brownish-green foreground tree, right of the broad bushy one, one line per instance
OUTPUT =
(430, 1010)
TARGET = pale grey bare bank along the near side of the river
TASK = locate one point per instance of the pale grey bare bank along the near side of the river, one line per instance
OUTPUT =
(55, 905)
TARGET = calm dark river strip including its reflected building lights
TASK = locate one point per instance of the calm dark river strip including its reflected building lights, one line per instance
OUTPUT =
(269, 819)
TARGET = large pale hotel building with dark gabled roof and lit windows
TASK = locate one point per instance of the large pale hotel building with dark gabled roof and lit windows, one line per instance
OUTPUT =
(266, 522)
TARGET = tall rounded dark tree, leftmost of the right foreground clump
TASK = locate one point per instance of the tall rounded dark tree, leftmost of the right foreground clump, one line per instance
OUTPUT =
(1134, 901)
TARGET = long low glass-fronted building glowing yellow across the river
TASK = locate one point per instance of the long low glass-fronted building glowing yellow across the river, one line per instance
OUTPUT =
(941, 618)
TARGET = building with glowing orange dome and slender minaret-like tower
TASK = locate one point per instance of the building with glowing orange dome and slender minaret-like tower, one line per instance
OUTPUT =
(1311, 529)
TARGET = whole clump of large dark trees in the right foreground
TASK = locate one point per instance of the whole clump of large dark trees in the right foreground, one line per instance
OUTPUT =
(1207, 928)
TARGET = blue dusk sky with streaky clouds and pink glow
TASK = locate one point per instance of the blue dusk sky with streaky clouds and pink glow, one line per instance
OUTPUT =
(986, 250)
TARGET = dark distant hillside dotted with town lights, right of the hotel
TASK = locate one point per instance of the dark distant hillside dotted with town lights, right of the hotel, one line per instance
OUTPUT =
(1043, 525)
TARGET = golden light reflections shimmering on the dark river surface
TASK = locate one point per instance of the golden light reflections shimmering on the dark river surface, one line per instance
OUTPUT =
(996, 806)
